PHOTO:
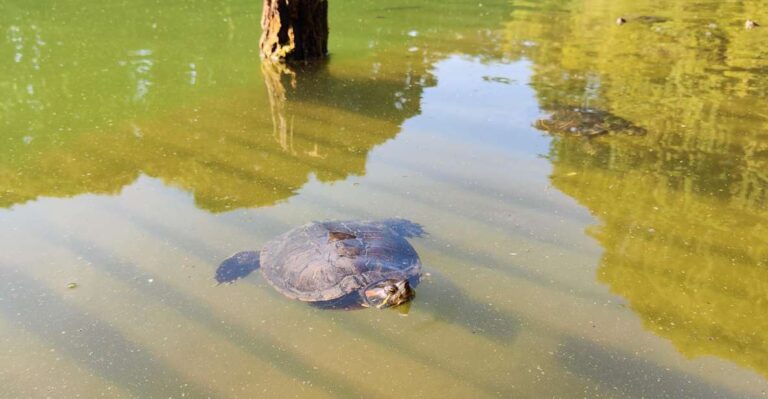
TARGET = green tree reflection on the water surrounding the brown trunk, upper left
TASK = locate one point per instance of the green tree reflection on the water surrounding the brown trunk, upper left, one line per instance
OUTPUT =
(191, 112)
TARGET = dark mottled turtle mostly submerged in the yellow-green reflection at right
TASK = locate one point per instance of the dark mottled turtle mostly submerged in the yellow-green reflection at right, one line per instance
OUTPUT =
(586, 122)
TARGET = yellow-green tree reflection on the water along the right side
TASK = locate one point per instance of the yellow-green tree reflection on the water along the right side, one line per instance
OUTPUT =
(682, 210)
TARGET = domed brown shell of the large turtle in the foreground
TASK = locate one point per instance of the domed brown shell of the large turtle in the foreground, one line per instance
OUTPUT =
(323, 261)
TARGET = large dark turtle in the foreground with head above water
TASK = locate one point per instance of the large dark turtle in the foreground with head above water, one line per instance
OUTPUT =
(337, 264)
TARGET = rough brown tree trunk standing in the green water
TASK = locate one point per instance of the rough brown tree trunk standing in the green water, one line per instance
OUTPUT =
(294, 29)
